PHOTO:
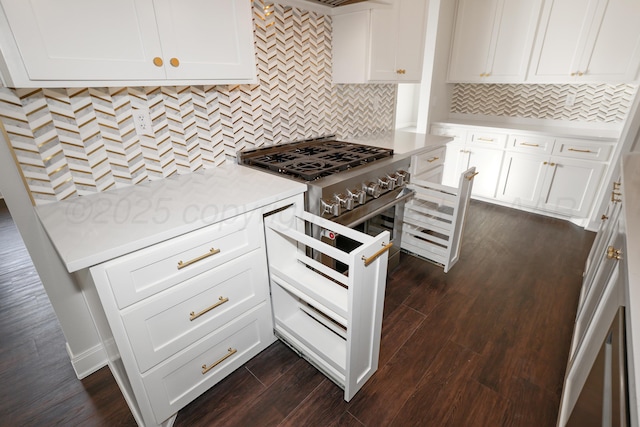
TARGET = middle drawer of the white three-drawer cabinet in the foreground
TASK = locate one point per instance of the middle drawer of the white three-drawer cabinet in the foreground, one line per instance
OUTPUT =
(162, 325)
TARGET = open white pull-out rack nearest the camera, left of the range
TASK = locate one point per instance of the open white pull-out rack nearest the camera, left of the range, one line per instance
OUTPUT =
(331, 315)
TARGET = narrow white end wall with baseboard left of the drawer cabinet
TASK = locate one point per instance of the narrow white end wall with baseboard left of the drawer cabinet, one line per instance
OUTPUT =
(83, 343)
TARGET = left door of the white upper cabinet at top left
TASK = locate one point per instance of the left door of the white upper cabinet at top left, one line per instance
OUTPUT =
(85, 40)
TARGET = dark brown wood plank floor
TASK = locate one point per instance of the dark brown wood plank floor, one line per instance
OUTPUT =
(484, 345)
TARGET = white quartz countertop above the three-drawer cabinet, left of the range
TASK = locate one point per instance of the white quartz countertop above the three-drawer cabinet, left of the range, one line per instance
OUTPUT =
(92, 229)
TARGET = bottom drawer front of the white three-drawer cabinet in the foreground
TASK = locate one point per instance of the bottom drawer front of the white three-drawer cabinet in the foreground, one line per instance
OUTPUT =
(175, 383)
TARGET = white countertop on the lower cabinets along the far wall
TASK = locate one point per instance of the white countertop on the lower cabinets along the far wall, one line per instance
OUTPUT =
(573, 130)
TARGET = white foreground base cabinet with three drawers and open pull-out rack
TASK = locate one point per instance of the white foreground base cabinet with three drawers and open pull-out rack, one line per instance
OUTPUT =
(179, 316)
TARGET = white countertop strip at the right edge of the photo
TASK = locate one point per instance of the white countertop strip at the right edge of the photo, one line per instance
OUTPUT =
(631, 205)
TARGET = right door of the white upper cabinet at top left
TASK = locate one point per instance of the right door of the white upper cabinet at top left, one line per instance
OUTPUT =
(209, 40)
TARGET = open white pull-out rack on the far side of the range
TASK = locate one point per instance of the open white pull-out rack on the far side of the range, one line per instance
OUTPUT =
(434, 219)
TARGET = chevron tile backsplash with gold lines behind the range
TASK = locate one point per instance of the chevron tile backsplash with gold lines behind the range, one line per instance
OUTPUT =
(73, 142)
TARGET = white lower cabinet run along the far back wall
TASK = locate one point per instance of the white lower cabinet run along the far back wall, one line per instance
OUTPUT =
(547, 174)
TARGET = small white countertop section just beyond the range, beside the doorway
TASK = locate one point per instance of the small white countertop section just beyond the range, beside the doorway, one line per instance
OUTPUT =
(403, 142)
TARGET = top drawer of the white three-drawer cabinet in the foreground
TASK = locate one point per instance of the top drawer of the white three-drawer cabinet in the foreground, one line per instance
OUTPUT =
(148, 271)
